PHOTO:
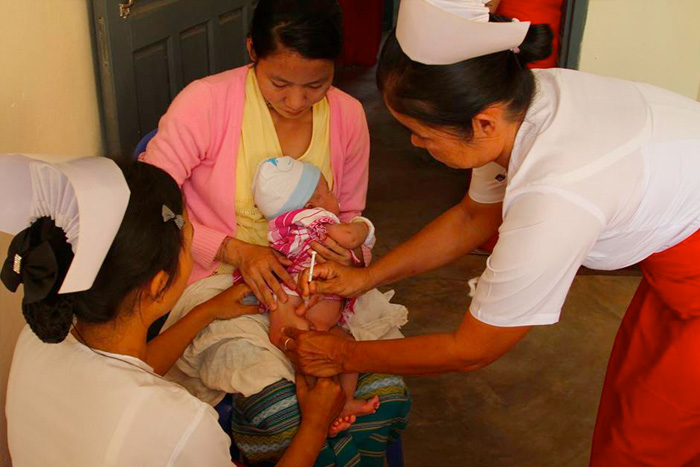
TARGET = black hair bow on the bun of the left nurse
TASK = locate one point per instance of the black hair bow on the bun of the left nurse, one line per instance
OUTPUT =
(34, 266)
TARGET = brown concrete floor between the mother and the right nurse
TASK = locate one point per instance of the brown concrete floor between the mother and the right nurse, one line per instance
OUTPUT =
(537, 405)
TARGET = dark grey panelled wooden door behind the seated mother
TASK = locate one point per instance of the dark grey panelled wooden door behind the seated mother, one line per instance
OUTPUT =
(147, 57)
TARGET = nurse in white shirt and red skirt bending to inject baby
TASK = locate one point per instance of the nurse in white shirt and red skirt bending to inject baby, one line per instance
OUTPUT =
(570, 169)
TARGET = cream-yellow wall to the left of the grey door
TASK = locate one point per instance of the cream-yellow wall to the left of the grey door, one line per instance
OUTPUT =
(48, 105)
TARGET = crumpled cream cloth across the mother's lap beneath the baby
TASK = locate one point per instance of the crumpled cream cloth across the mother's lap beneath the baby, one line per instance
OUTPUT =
(236, 356)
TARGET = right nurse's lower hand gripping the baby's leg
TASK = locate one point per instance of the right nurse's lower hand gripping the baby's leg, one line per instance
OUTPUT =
(319, 354)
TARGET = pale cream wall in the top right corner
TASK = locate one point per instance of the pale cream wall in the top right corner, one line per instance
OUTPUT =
(656, 41)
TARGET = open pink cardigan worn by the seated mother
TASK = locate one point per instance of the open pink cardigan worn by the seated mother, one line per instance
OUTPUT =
(197, 144)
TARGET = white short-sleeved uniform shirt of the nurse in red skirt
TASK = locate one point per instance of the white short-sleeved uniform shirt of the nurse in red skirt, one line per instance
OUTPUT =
(603, 173)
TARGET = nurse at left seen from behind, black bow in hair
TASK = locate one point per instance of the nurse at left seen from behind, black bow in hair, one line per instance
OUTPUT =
(103, 252)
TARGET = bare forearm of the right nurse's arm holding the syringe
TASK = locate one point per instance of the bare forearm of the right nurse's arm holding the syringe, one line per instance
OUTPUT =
(452, 235)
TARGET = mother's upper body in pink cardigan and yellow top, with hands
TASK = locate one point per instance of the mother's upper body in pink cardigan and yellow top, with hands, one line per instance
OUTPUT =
(219, 127)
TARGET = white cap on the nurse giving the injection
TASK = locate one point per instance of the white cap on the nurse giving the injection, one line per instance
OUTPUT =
(443, 32)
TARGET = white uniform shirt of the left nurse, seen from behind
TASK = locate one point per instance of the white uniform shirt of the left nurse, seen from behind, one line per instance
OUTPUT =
(68, 406)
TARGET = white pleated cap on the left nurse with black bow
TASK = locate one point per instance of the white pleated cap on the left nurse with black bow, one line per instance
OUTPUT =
(86, 198)
